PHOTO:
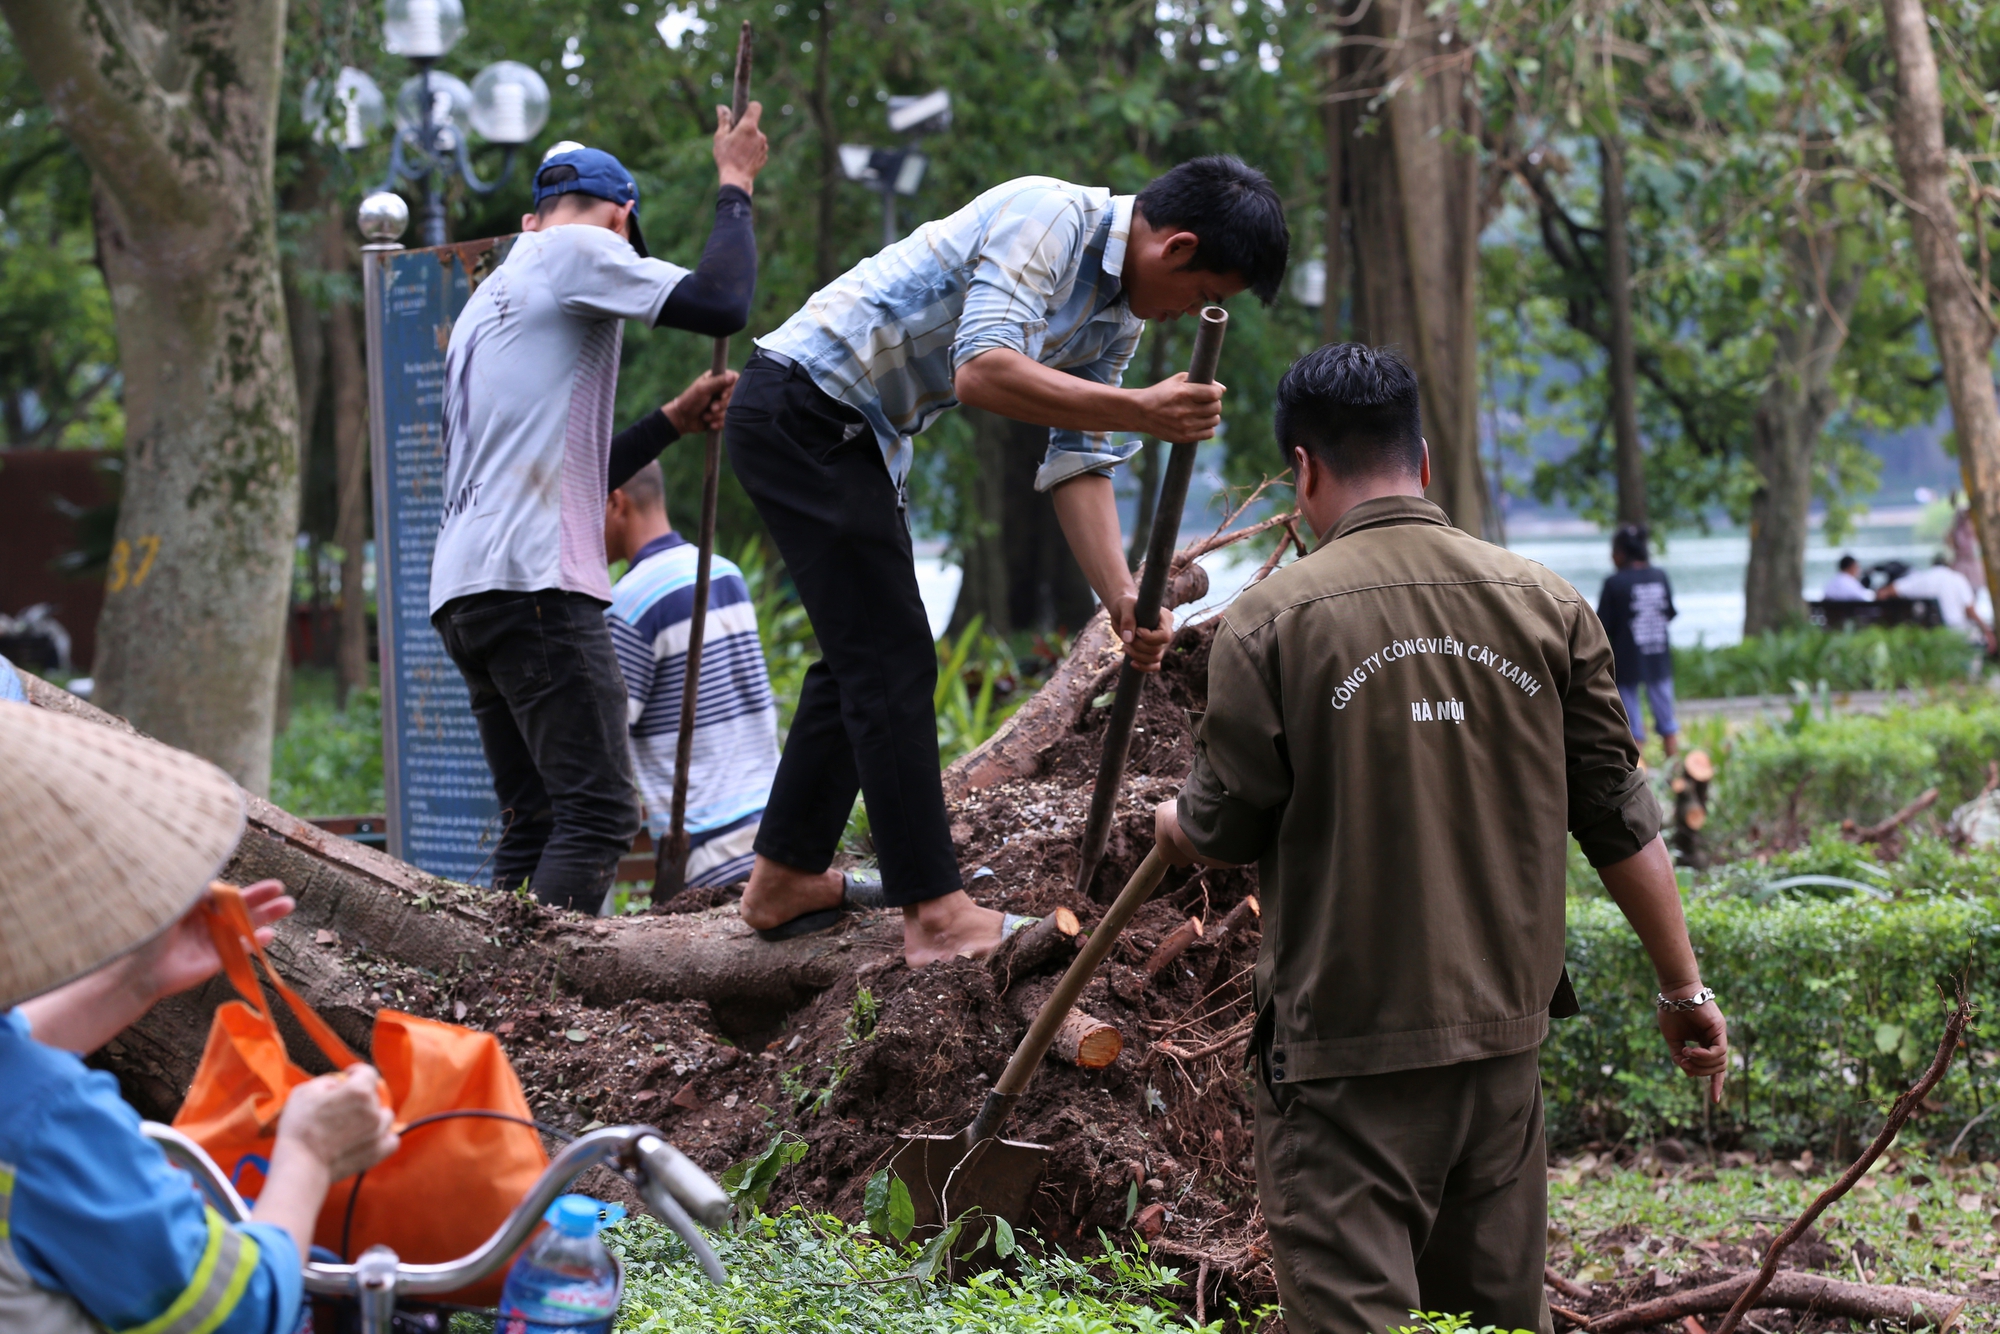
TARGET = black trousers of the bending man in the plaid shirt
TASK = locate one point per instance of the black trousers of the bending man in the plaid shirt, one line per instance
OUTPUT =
(865, 713)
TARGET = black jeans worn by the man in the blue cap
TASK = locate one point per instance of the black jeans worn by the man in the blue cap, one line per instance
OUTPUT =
(553, 721)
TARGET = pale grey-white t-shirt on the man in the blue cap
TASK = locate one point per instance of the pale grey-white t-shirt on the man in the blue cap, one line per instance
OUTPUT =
(531, 379)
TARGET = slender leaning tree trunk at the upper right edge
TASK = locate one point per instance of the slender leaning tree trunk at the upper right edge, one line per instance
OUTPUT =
(1961, 327)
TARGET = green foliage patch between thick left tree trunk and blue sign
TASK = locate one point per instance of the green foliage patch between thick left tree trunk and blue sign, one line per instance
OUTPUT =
(329, 763)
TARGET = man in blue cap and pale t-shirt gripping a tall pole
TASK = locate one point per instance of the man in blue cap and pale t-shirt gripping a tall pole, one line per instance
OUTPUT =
(519, 579)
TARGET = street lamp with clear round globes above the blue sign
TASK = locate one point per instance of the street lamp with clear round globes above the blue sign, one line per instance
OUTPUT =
(437, 113)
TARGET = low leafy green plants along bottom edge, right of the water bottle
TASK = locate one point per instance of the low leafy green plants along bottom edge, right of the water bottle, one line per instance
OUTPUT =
(815, 1275)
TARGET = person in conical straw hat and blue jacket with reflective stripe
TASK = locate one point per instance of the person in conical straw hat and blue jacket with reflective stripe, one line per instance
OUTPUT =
(107, 847)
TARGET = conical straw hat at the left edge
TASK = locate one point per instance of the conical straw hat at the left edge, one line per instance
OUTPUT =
(105, 841)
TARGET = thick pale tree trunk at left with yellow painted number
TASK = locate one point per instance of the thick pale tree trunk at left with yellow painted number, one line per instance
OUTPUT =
(177, 123)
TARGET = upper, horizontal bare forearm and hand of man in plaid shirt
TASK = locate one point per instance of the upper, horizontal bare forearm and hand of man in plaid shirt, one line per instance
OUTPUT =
(1019, 387)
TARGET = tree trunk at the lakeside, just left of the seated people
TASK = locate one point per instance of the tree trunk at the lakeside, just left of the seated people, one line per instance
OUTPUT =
(1791, 413)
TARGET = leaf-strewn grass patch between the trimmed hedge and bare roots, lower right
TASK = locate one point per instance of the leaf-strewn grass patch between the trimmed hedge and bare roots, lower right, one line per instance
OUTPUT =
(1913, 1221)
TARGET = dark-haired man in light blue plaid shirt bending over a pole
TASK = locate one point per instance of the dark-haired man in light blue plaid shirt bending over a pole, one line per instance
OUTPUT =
(1027, 303)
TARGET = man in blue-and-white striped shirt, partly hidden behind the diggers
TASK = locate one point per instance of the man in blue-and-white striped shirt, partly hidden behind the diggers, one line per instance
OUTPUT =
(735, 719)
